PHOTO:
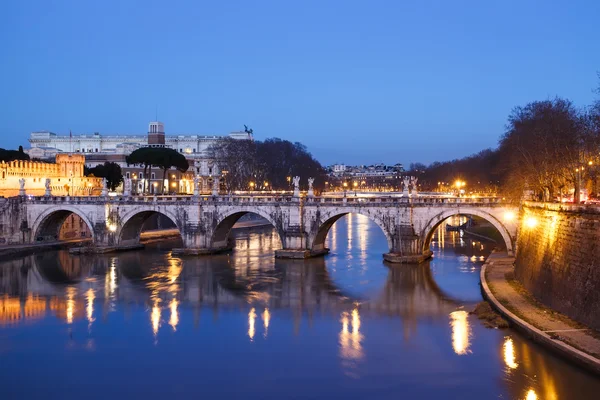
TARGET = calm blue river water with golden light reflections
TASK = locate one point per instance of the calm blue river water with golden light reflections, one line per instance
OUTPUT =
(144, 324)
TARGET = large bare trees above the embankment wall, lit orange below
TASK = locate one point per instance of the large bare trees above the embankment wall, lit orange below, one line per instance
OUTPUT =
(549, 148)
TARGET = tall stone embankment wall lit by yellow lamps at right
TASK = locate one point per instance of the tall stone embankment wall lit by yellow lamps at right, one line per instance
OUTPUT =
(558, 258)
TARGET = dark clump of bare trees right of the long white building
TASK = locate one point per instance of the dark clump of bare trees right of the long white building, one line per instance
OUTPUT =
(265, 165)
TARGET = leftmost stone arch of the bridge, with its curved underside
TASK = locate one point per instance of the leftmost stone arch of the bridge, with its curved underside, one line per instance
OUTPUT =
(48, 224)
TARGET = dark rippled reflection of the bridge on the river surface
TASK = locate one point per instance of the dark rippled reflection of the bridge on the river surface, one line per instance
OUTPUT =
(219, 281)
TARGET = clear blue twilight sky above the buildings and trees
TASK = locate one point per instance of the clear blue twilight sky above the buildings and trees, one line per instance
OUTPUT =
(355, 81)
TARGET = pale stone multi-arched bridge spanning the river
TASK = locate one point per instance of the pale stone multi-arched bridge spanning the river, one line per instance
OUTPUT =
(205, 222)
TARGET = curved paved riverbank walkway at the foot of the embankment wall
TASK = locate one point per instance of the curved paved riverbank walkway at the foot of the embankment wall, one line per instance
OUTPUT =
(573, 340)
